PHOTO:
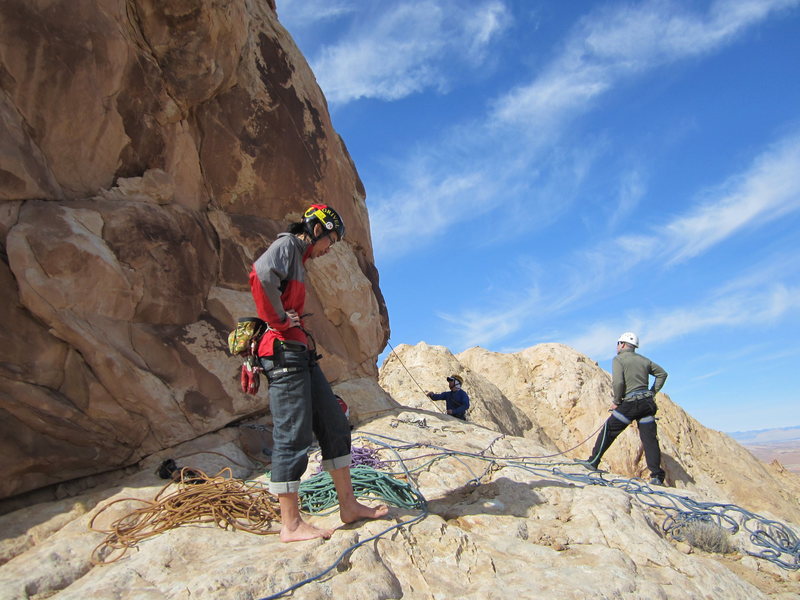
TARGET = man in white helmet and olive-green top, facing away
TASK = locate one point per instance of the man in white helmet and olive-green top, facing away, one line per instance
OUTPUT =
(633, 400)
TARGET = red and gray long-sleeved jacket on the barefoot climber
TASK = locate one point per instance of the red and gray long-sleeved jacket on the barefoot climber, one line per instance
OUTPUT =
(277, 281)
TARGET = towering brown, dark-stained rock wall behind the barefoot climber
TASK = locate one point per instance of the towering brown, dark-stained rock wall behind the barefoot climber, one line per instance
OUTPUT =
(149, 152)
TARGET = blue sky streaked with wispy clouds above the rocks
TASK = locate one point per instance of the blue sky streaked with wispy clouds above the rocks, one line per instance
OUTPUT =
(542, 171)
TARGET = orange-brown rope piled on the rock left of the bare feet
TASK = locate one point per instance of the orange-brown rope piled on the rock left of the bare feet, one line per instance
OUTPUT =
(227, 502)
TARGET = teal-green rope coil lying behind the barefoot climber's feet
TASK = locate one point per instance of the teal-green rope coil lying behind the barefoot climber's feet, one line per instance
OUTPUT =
(317, 494)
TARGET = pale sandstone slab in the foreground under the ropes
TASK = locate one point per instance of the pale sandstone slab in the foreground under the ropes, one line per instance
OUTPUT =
(492, 529)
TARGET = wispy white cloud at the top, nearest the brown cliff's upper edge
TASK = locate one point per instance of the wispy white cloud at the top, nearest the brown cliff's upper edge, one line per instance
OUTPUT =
(407, 49)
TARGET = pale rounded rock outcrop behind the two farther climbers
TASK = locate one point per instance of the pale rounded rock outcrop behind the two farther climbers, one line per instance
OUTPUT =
(564, 398)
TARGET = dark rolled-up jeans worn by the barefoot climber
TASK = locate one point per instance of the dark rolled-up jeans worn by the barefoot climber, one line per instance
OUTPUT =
(302, 404)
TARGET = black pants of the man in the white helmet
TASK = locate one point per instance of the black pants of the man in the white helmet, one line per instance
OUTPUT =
(640, 410)
